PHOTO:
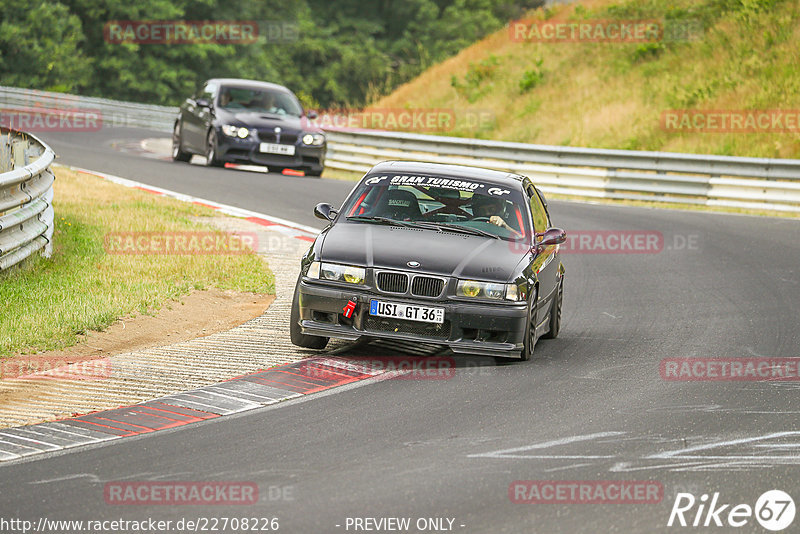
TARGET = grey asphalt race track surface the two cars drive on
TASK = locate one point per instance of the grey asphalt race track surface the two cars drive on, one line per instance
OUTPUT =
(592, 405)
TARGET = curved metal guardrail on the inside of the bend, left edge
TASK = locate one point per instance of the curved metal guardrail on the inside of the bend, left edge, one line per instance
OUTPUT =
(26, 197)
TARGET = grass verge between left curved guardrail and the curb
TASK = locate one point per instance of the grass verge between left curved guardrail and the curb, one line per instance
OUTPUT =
(48, 303)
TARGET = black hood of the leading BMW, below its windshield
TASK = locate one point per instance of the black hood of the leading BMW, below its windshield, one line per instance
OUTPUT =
(442, 253)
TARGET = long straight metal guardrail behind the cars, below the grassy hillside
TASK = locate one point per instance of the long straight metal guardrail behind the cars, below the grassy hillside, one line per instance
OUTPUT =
(755, 183)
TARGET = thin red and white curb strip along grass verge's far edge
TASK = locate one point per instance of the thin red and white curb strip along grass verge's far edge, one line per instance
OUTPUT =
(288, 228)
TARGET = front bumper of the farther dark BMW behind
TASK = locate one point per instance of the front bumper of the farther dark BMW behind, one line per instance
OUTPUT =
(235, 150)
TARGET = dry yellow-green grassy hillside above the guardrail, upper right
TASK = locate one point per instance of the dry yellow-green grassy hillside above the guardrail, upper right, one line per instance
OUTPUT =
(612, 95)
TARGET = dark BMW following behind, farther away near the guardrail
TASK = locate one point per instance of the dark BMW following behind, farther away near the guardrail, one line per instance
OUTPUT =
(250, 122)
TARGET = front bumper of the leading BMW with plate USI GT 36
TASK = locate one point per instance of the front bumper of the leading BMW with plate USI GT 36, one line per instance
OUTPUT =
(472, 328)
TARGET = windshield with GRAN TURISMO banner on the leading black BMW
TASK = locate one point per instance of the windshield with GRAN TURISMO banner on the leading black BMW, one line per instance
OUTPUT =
(444, 203)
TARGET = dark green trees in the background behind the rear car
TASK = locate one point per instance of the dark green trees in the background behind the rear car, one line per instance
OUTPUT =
(348, 52)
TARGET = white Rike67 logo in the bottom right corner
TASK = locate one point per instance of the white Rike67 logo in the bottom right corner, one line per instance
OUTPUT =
(774, 510)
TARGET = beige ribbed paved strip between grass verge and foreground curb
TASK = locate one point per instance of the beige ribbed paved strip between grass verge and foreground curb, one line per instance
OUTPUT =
(138, 376)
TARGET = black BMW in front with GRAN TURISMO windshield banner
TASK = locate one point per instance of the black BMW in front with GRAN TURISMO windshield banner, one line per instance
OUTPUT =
(443, 254)
